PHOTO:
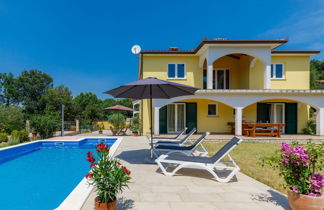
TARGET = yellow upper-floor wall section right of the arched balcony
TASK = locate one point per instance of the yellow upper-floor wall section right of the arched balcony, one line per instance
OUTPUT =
(296, 71)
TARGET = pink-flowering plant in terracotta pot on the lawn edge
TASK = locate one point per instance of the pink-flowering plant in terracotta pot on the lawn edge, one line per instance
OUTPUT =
(299, 165)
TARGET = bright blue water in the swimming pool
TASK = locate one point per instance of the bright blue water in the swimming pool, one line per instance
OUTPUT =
(41, 175)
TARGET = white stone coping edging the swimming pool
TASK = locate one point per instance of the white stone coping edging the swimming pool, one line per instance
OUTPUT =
(81, 192)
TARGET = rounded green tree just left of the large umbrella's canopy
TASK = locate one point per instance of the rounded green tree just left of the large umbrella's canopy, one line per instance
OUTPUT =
(88, 107)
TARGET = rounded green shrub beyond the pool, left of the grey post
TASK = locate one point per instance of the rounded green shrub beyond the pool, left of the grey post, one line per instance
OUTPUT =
(45, 125)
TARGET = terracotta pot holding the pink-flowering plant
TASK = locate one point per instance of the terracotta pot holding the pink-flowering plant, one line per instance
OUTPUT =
(305, 202)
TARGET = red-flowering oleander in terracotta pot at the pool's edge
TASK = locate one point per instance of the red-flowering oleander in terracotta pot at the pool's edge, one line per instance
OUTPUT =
(108, 176)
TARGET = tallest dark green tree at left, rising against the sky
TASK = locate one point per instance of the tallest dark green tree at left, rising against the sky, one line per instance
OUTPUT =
(32, 85)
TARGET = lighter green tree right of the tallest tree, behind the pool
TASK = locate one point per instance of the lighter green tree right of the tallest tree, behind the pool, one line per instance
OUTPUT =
(53, 98)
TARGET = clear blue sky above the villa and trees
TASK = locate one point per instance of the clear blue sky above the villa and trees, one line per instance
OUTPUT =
(85, 45)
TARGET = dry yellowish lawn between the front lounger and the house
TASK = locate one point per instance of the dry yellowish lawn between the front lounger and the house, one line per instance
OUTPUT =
(247, 155)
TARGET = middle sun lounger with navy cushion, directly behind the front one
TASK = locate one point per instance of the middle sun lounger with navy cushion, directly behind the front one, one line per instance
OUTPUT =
(186, 150)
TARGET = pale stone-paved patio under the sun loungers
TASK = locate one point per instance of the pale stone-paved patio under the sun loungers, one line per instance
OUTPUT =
(189, 189)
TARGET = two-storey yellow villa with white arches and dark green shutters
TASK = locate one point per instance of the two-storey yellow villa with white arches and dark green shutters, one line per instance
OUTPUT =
(238, 80)
